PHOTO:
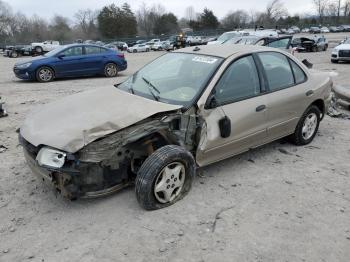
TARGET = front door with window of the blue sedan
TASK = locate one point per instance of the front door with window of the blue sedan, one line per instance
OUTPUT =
(69, 62)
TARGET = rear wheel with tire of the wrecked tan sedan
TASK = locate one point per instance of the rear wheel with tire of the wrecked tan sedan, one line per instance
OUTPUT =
(307, 126)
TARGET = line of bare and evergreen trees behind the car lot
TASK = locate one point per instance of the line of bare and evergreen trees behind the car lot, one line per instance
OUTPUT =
(113, 21)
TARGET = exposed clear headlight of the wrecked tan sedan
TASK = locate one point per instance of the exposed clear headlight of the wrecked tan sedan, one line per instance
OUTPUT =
(51, 157)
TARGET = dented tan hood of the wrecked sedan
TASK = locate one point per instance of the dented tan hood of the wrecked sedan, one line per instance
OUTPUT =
(77, 120)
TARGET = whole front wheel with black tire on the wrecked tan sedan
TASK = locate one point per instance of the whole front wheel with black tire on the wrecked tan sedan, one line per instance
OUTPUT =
(177, 182)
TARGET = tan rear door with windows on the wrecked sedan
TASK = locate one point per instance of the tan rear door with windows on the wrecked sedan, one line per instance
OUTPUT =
(286, 95)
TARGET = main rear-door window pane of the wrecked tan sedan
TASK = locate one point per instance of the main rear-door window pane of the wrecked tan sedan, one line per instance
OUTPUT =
(278, 72)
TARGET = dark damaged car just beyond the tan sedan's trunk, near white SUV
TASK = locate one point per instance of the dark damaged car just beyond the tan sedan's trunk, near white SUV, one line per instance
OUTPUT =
(306, 44)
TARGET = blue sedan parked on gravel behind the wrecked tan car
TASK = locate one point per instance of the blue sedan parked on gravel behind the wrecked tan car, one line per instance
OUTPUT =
(72, 61)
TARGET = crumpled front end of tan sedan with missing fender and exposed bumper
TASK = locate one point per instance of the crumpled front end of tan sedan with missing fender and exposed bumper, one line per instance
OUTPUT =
(112, 162)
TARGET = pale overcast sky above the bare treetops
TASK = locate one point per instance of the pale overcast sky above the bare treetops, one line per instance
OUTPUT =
(48, 8)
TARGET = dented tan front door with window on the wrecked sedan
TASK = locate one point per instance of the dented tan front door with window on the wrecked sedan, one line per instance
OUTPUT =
(238, 97)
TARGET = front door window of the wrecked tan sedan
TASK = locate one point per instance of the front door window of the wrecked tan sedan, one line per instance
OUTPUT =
(239, 81)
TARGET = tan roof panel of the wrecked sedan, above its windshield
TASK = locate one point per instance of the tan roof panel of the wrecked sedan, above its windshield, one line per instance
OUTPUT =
(223, 51)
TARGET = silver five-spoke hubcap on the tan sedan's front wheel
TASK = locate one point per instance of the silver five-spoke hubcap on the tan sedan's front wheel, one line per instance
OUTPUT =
(169, 182)
